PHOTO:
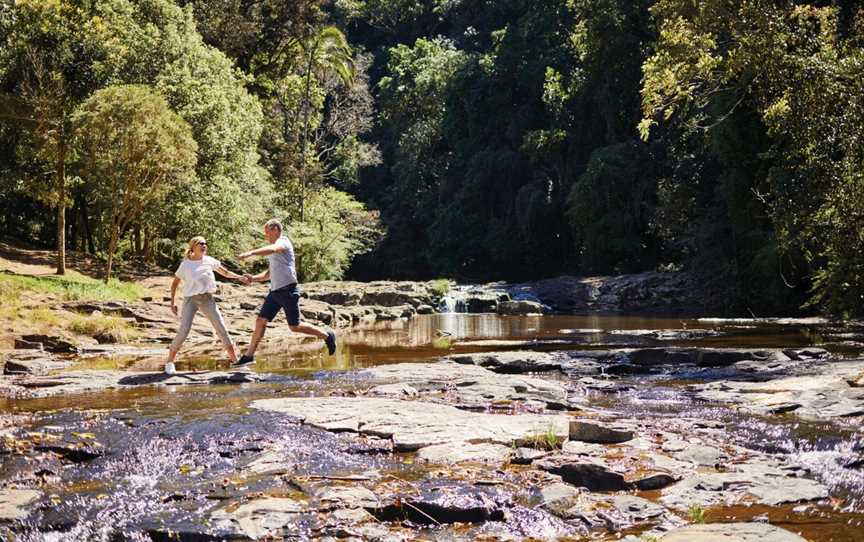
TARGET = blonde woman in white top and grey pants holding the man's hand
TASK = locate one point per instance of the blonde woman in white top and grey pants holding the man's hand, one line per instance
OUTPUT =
(199, 285)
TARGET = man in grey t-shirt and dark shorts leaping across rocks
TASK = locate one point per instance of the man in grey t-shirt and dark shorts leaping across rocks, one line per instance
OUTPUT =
(284, 293)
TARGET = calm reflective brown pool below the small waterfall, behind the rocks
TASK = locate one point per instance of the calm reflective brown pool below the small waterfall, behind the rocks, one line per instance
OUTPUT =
(428, 337)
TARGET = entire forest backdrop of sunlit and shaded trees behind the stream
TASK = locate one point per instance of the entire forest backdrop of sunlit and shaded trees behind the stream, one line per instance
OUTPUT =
(476, 140)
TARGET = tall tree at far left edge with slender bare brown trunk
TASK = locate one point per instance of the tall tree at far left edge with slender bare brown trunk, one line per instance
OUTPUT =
(46, 59)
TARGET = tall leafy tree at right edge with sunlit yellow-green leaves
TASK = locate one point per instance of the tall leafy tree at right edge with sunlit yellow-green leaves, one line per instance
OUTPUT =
(790, 73)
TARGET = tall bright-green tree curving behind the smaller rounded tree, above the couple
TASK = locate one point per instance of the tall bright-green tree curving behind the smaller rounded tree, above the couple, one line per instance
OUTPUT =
(155, 42)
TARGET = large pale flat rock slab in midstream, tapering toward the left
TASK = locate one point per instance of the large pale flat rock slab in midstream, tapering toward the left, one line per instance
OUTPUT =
(415, 424)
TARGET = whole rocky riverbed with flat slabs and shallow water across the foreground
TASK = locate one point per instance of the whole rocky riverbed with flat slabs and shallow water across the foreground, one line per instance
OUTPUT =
(629, 430)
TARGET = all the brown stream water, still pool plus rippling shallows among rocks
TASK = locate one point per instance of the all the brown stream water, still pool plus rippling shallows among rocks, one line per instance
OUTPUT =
(175, 452)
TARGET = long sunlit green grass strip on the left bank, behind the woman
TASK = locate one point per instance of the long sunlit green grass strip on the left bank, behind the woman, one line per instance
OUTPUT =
(70, 287)
